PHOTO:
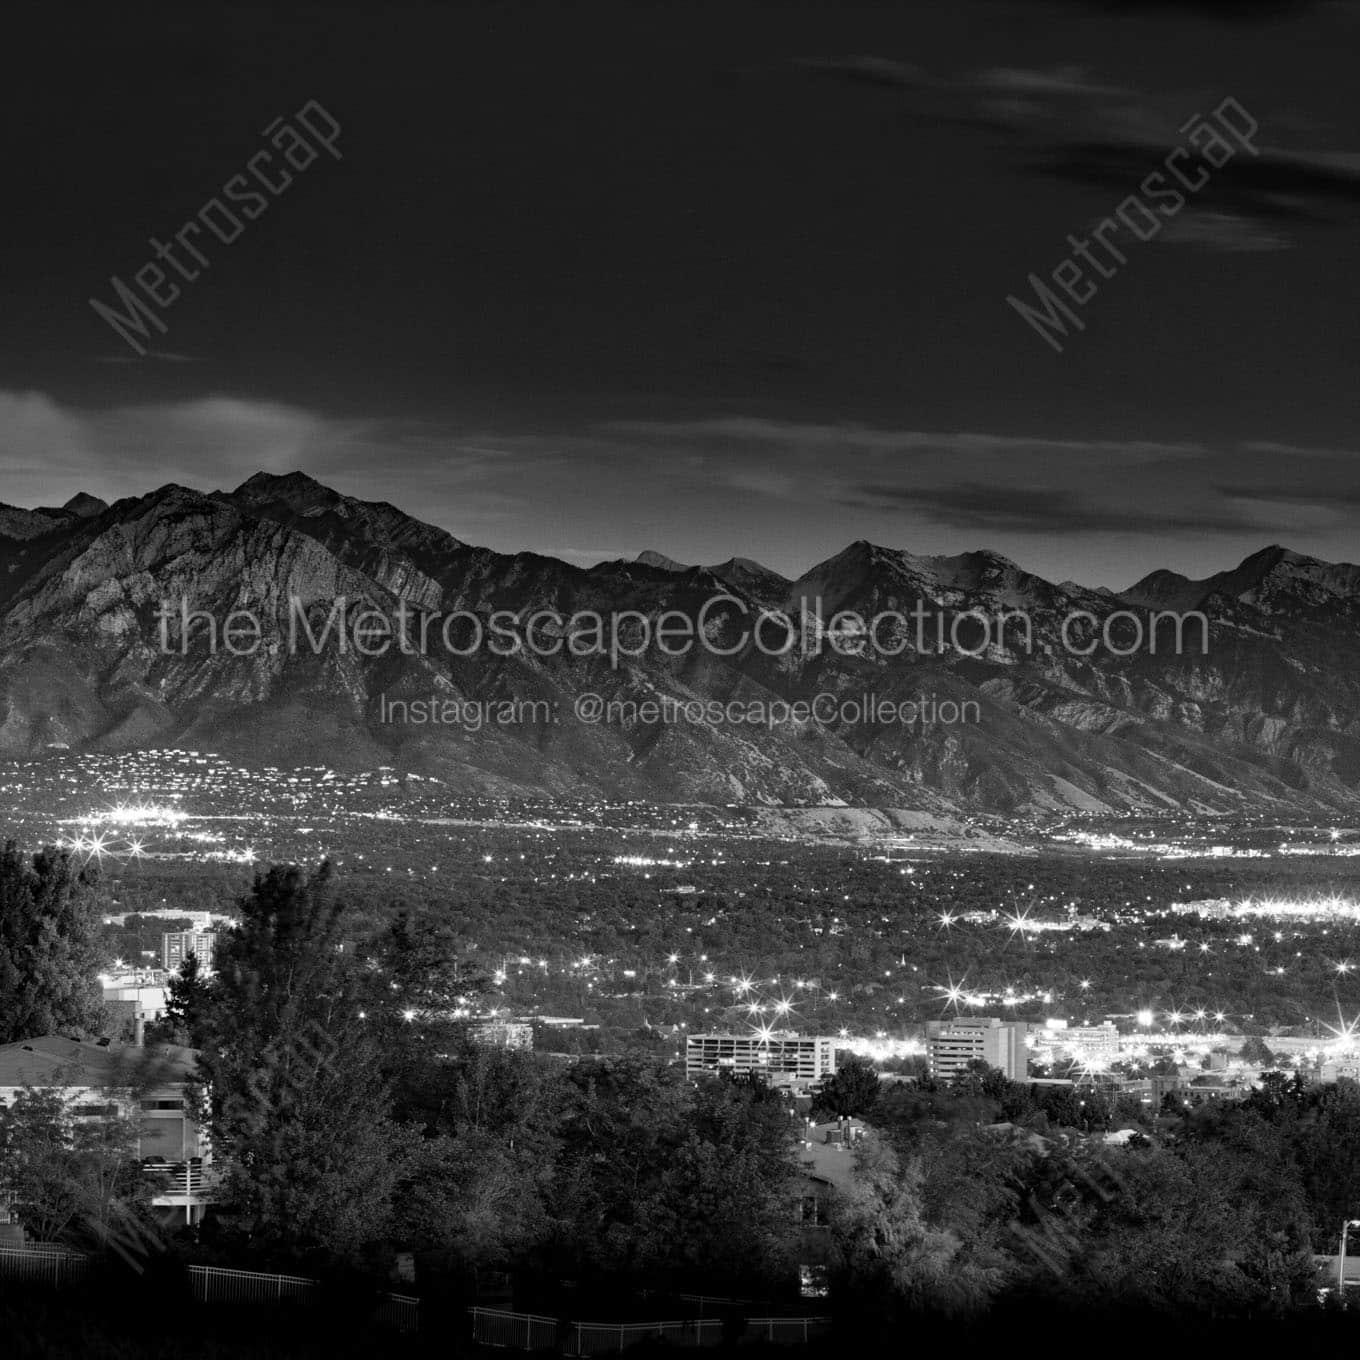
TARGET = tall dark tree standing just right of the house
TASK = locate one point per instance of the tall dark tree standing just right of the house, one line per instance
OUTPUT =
(300, 1098)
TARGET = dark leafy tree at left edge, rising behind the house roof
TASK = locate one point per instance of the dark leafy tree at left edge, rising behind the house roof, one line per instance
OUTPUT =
(50, 947)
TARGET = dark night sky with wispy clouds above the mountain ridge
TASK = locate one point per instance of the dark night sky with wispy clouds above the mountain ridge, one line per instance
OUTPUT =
(713, 281)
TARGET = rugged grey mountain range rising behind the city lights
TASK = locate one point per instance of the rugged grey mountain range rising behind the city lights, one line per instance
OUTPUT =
(1267, 717)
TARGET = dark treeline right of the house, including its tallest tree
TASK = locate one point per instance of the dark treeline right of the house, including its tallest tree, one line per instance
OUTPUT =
(360, 1117)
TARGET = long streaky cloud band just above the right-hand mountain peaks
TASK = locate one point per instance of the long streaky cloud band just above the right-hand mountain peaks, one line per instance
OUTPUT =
(992, 483)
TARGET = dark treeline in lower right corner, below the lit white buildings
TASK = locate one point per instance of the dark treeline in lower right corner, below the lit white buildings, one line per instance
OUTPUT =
(1217, 1207)
